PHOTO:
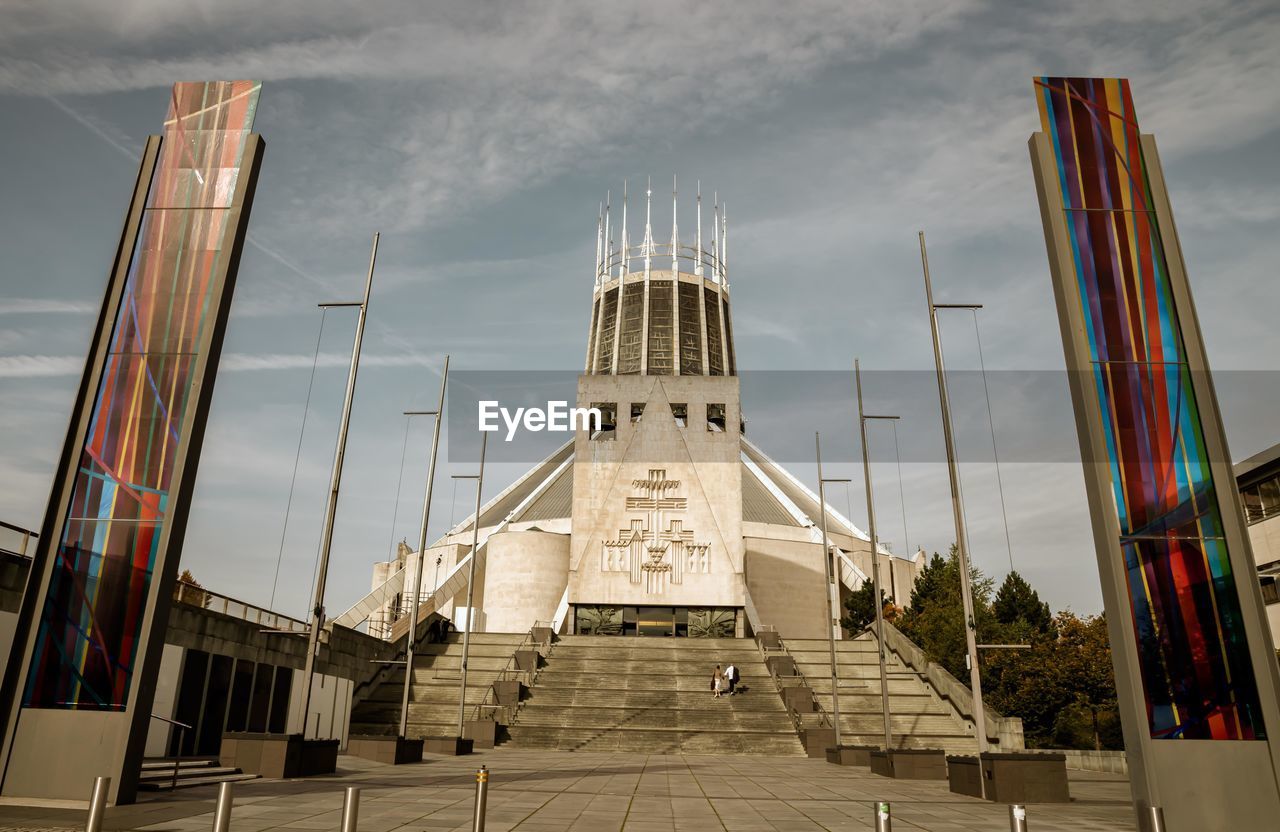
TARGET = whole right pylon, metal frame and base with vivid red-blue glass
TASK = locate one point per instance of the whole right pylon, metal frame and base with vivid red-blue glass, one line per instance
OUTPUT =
(1195, 665)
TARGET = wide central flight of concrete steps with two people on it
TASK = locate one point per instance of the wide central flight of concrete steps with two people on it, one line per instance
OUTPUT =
(653, 696)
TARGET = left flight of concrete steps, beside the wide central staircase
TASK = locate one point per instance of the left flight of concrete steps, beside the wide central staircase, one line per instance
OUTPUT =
(433, 705)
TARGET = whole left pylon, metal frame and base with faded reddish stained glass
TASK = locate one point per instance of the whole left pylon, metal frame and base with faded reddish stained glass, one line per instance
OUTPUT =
(115, 527)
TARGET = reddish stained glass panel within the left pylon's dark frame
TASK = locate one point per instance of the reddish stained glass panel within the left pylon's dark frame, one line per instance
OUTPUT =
(90, 625)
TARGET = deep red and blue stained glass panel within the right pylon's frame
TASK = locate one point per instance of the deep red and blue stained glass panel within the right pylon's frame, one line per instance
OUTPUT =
(1194, 656)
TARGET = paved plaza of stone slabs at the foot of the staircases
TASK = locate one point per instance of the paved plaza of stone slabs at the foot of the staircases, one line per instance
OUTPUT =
(602, 793)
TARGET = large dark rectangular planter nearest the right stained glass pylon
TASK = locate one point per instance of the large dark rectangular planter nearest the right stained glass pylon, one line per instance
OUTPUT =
(1012, 778)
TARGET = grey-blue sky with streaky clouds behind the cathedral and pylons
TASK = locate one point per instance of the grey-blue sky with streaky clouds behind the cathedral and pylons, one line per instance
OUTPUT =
(479, 139)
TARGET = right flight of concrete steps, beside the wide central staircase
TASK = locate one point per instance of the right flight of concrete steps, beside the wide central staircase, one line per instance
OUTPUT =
(918, 717)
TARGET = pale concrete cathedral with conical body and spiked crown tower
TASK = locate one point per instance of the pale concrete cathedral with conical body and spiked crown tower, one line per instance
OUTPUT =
(668, 522)
